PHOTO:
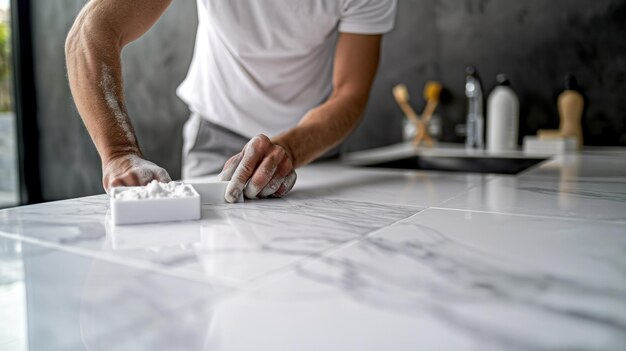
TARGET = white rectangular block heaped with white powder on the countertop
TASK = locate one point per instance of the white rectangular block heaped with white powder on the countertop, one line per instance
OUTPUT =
(155, 202)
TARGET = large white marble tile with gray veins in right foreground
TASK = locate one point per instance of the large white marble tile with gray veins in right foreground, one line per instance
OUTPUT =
(450, 280)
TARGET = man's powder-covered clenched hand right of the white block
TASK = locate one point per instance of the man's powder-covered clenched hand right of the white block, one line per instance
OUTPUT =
(260, 170)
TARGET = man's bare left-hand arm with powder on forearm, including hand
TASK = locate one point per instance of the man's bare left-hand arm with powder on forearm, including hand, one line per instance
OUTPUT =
(93, 49)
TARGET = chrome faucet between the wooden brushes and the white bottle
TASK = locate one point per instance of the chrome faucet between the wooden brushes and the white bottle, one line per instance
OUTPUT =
(475, 116)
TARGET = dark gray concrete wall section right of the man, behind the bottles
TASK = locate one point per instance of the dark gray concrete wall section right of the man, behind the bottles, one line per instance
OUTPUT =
(535, 42)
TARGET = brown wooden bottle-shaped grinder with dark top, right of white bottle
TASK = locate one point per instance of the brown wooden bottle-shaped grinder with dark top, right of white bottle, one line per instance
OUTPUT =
(571, 104)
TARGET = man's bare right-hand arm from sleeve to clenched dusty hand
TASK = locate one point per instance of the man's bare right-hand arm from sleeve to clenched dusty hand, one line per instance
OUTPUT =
(266, 167)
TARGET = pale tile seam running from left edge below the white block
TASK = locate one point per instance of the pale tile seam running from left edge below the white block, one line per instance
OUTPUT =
(137, 264)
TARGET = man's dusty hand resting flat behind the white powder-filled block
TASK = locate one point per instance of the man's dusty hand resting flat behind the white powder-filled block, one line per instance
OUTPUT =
(131, 170)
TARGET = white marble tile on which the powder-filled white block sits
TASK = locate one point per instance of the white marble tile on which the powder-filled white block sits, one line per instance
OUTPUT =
(231, 244)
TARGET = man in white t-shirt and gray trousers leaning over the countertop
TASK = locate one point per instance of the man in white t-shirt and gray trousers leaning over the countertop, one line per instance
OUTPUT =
(273, 85)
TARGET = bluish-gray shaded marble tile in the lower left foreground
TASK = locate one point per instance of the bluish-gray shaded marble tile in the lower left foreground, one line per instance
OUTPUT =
(79, 303)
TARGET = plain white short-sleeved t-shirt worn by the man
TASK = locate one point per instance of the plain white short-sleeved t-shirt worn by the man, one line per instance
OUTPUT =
(260, 65)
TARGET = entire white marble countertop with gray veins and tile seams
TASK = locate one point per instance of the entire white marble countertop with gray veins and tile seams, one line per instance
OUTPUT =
(352, 259)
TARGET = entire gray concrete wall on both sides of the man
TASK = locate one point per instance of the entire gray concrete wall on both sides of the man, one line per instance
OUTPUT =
(535, 42)
